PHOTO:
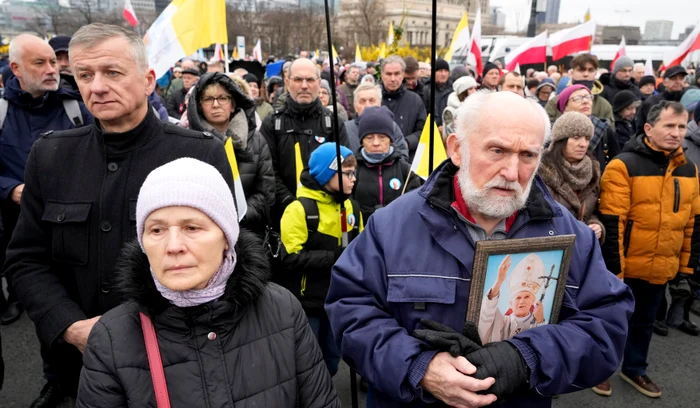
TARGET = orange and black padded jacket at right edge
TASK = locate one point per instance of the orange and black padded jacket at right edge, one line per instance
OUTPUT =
(649, 203)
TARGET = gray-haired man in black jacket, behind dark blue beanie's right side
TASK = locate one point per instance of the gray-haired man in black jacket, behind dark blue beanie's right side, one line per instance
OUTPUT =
(407, 107)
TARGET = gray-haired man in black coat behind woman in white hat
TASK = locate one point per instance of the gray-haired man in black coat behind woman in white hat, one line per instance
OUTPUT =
(79, 200)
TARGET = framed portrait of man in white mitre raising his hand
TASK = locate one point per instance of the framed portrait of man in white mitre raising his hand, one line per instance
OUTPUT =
(518, 284)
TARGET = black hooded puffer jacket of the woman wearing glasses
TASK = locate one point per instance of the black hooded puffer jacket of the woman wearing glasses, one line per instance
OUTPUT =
(252, 154)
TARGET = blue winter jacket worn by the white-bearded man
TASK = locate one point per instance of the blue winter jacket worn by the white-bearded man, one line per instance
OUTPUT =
(414, 261)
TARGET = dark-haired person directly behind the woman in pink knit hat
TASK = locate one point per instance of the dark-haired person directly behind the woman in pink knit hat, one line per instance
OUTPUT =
(584, 68)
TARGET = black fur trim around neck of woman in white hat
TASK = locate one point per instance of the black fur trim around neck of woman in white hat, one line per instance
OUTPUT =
(246, 284)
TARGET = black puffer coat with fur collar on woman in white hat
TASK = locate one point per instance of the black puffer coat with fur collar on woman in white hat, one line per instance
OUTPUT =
(264, 353)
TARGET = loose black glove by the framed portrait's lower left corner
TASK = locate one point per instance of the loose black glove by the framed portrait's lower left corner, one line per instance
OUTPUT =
(443, 338)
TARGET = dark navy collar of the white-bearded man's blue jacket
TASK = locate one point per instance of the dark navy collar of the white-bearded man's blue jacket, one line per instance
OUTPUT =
(439, 191)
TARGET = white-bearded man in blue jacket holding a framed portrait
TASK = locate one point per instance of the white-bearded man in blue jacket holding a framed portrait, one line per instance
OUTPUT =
(383, 285)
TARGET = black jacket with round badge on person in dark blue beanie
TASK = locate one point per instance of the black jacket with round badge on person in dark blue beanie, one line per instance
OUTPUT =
(377, 185)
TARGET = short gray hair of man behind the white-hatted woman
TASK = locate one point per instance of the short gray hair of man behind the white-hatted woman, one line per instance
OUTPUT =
(91, 35)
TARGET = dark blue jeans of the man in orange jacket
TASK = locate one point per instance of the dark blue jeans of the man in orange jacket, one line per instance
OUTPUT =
(641, 327)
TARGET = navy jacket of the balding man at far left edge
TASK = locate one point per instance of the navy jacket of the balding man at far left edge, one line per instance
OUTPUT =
(27, 118)
